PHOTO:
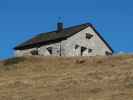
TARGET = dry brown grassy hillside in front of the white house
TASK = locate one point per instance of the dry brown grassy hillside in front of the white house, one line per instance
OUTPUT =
(58, 78)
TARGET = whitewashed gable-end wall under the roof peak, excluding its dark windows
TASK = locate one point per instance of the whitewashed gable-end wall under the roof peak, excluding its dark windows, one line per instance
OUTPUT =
(95, 43)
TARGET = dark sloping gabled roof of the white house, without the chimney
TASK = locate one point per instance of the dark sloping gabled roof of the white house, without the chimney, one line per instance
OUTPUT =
(56, 36)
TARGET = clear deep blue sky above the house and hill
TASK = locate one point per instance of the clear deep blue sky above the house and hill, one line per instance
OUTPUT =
(22, 19)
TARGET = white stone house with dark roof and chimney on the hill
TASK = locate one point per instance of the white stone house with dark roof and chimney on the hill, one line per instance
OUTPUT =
(79, 40)
